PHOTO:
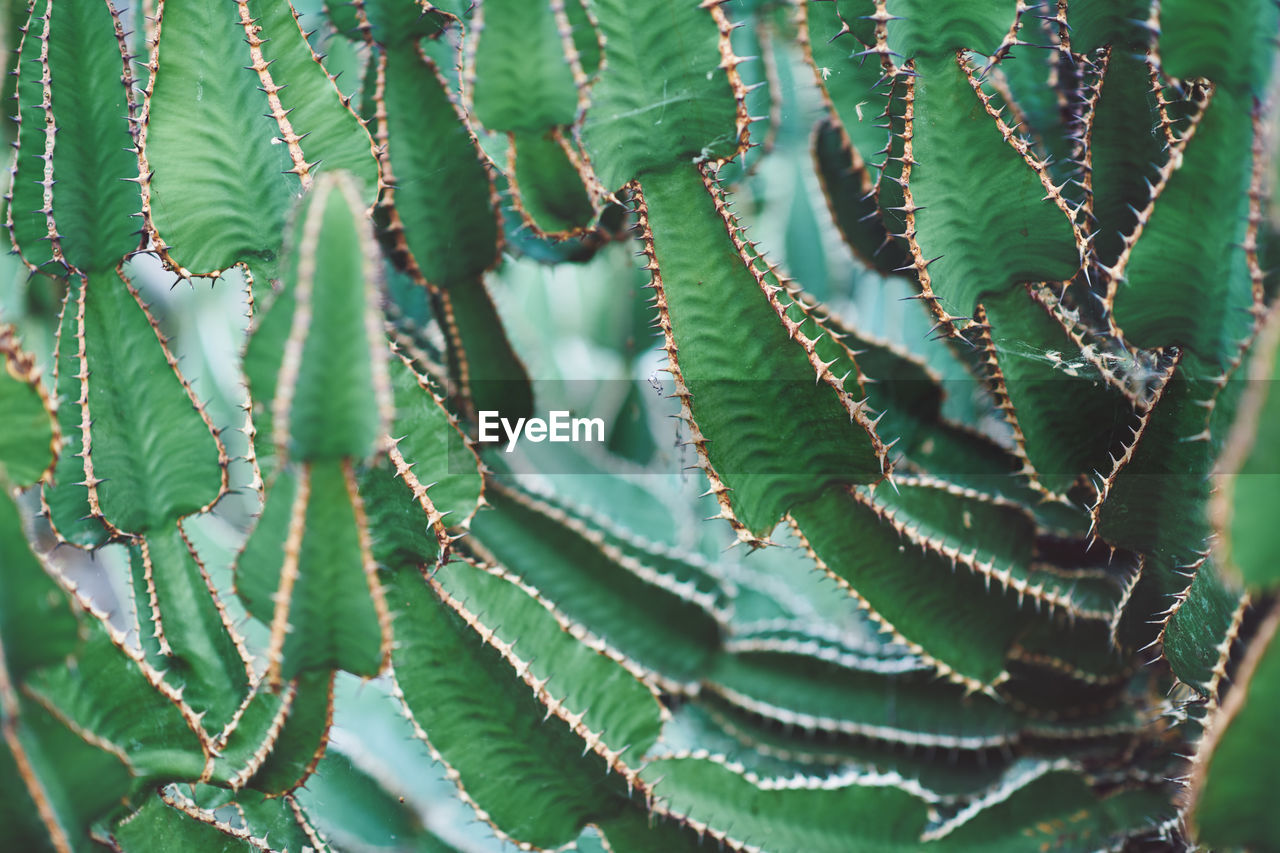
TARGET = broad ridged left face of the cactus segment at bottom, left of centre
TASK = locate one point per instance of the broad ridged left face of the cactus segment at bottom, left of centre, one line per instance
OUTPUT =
(486, 722)
